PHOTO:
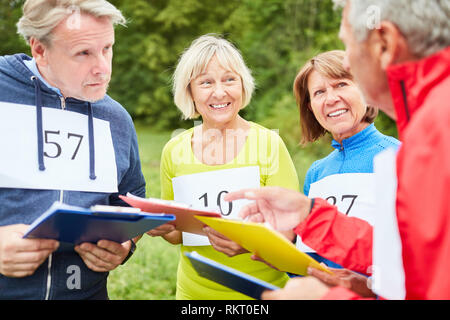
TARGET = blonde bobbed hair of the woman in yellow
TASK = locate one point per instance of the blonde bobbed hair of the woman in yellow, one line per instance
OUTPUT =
(194, 61)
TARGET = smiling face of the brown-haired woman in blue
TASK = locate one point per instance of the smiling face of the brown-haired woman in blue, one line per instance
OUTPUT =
(337, 104)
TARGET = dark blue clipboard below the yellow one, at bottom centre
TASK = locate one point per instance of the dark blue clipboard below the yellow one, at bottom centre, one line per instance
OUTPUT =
(229, 277)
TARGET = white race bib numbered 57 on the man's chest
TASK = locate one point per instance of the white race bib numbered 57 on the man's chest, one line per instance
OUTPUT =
(66, 151)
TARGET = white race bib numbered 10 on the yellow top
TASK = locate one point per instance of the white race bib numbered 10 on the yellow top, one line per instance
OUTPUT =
(206, 191)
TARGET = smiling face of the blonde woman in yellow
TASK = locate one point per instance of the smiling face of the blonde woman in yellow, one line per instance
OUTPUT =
(217, 94)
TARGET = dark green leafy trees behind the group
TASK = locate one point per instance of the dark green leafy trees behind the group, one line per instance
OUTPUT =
(275, 37)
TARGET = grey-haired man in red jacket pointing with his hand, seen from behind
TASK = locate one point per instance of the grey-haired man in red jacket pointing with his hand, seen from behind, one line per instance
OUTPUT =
(399, 54)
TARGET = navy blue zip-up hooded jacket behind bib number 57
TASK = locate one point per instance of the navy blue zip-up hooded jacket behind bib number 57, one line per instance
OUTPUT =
(23, 206)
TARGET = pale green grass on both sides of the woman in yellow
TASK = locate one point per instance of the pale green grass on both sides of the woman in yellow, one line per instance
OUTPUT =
(150, 274)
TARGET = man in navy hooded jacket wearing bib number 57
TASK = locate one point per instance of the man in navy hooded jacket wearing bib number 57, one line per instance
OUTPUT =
(63, 139)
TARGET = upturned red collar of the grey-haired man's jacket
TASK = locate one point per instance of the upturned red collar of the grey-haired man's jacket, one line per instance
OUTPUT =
(411, 82)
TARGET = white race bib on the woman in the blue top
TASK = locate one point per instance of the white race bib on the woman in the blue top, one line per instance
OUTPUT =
(352, 193)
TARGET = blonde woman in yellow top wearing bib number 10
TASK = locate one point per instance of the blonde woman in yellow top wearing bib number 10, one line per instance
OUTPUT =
(222, 154)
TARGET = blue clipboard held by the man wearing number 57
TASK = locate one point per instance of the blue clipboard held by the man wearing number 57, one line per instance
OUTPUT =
(76, 225)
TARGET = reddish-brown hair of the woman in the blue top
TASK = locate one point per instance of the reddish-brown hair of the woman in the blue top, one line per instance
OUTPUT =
(328, 64)
